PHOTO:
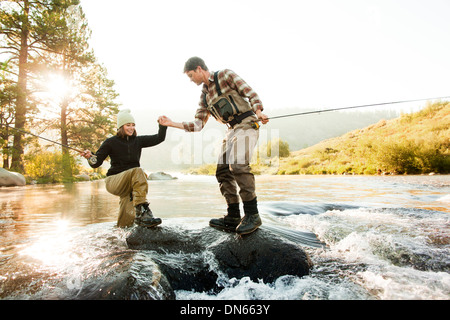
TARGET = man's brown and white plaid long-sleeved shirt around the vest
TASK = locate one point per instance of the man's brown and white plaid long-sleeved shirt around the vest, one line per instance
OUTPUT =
(228, 81)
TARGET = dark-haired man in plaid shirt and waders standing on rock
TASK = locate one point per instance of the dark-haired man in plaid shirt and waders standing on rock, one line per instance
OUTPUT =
(230, 100)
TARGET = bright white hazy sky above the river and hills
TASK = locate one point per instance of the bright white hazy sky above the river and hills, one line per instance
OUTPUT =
(295, 54)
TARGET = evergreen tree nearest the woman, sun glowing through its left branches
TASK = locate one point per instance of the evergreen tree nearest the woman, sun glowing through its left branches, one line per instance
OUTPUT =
(87, 101)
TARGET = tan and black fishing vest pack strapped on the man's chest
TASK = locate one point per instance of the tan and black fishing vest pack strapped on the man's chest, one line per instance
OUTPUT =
(228, 108)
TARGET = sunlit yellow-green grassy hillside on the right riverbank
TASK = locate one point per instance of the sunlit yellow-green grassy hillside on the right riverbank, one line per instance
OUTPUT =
(412, 144)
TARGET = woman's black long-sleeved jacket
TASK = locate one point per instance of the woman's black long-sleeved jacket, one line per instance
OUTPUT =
(125, 153)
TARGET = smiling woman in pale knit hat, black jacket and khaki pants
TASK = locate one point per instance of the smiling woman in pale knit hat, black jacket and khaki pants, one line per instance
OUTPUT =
(125, 178)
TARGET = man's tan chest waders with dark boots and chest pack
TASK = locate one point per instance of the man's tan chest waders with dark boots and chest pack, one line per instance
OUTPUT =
(232, 109)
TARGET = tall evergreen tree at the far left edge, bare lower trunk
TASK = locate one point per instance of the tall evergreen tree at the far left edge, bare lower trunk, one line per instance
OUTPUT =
(24, 30)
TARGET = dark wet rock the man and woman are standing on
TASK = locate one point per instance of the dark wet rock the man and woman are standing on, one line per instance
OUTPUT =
(185, 256)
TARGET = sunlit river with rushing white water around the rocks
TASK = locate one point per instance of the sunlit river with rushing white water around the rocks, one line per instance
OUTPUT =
(387, 237)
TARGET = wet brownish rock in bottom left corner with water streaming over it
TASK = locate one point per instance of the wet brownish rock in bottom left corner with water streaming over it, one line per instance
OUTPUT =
(122, 275)
